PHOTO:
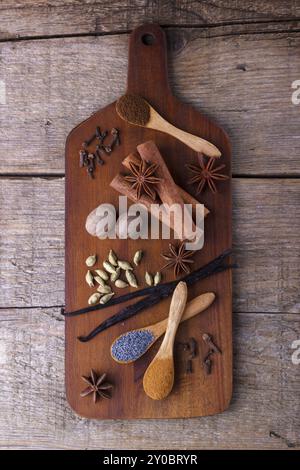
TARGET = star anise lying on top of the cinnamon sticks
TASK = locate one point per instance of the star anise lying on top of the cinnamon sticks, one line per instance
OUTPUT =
(142, 178)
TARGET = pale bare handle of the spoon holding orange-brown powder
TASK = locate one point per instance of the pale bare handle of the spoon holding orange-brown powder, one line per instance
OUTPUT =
(177, 307)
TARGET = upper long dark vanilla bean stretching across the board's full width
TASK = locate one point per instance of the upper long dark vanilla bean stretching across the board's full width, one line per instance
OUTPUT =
(210, 268)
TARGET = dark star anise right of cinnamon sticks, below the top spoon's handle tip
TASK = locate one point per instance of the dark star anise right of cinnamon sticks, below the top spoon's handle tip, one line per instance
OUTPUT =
(205, 174)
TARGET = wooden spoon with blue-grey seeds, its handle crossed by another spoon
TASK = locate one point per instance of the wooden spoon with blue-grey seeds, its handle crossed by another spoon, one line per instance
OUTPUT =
(155, 331)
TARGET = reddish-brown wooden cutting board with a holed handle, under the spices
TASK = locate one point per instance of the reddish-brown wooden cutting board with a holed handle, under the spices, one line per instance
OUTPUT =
(195, 394)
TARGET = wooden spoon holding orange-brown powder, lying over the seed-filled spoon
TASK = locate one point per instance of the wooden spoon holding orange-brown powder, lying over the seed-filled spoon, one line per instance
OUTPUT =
(158, 380)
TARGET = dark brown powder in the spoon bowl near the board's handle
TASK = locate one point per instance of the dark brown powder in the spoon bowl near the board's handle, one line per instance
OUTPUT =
(134, 109)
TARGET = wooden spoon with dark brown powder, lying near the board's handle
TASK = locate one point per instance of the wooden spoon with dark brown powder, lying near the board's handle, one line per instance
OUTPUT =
(137, 111)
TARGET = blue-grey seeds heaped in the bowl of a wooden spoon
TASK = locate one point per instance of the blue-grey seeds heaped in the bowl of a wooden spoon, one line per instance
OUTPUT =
(132, 345)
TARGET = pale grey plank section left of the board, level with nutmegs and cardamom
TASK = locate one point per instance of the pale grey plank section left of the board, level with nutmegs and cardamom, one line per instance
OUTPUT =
(32, 242)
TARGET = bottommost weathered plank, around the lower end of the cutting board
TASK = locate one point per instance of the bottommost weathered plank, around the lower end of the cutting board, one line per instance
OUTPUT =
(34, 413)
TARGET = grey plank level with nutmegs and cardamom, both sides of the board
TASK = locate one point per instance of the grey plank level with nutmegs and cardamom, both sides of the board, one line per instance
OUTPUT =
(266, 225)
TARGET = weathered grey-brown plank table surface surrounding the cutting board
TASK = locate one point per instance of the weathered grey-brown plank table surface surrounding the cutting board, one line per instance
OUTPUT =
(234, 61)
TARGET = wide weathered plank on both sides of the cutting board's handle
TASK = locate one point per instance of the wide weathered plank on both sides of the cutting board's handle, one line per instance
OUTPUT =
(243, 82)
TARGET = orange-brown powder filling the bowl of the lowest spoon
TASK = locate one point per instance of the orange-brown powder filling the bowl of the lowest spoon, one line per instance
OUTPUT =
(159, 378)
